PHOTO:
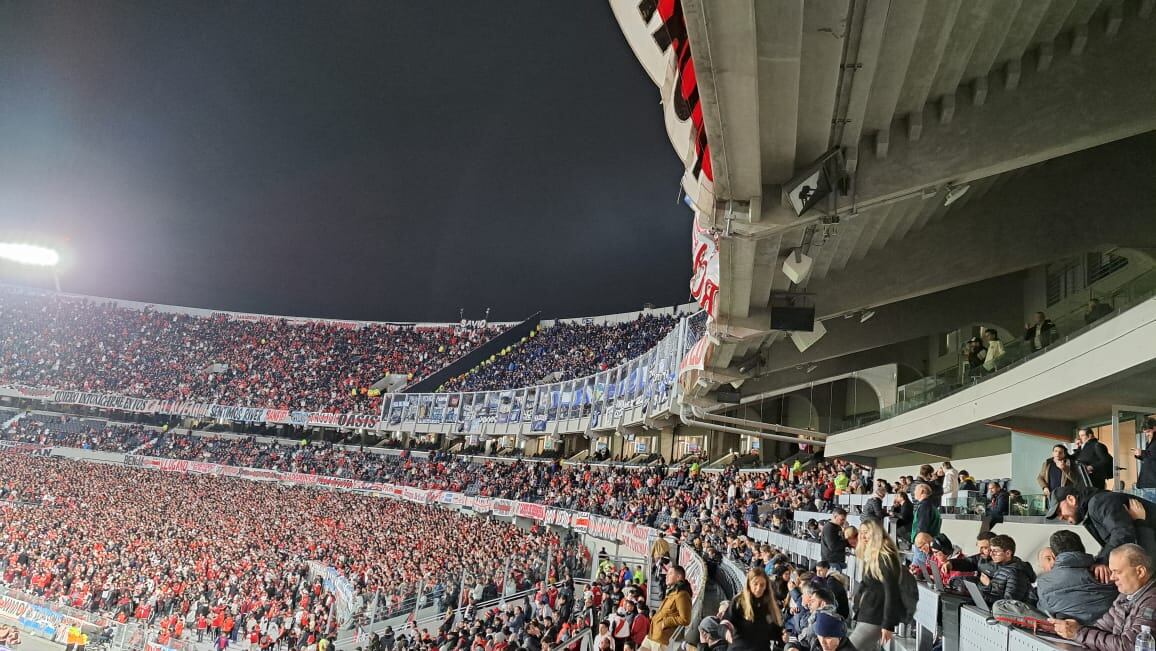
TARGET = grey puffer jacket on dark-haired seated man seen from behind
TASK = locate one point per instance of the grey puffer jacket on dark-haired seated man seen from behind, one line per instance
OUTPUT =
(1070, 591)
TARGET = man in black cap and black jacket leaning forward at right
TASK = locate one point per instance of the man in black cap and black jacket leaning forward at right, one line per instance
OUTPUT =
(1111, 519)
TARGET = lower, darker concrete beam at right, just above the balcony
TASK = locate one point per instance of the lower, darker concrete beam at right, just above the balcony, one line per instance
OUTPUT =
(1042, 216)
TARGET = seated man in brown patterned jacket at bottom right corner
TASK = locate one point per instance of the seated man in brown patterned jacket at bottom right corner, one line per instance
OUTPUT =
(1136, 608)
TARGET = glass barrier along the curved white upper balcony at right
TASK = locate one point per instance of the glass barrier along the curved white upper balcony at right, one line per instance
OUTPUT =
(1069, 327)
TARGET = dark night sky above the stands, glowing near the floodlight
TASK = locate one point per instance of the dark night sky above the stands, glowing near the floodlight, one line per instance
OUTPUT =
(391, 161)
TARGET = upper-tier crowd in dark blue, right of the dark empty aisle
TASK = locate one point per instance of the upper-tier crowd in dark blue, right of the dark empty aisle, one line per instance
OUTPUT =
(567, 351)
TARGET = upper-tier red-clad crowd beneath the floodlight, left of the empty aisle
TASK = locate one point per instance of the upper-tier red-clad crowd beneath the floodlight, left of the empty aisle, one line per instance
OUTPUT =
(76, 344)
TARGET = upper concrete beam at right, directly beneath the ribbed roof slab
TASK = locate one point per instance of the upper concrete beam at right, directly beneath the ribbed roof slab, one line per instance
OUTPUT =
(1108, 94)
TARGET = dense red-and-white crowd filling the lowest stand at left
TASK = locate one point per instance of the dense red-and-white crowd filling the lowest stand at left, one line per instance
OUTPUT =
(174, 550)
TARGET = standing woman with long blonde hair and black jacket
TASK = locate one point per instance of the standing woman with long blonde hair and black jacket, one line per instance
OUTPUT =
(879, 606)
